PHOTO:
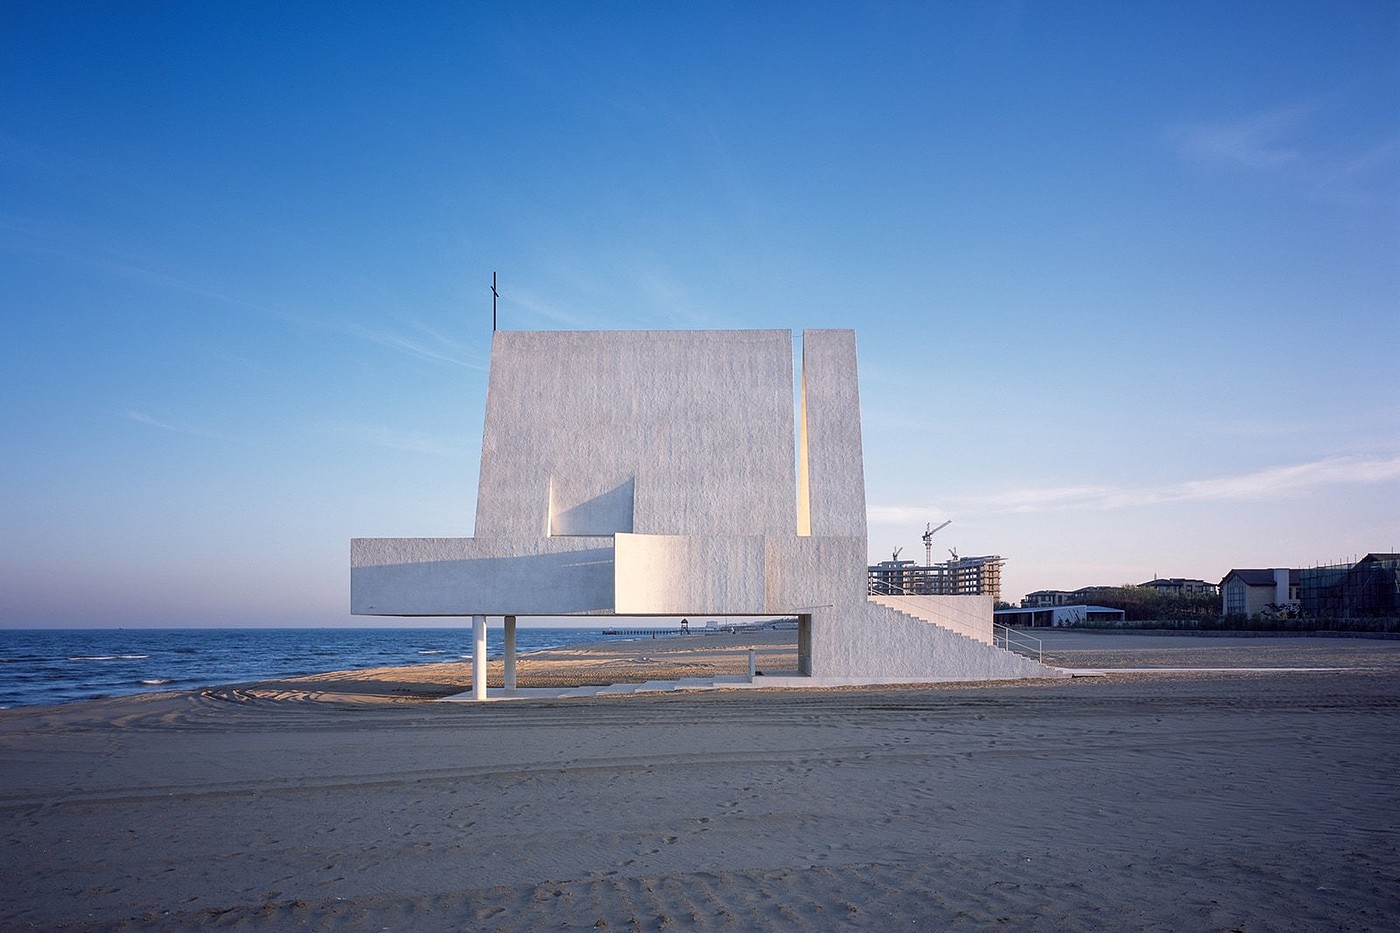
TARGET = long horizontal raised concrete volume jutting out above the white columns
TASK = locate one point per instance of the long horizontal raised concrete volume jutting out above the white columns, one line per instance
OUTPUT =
(625, 575)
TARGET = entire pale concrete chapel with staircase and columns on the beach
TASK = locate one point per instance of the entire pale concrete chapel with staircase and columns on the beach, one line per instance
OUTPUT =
(666, 473)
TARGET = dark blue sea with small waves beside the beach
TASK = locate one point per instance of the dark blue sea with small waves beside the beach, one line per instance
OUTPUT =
(44, 668)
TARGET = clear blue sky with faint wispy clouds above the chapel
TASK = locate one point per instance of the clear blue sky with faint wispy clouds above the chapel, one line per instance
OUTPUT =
(1123, 277)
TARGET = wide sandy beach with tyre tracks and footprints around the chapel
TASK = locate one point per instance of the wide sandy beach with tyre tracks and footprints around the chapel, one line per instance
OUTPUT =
(1237, 801)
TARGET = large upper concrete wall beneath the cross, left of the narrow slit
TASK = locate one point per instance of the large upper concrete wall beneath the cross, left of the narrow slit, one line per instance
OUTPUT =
(647, 432)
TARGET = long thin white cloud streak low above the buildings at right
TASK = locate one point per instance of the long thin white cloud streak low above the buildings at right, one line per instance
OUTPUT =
(1275, 483)
